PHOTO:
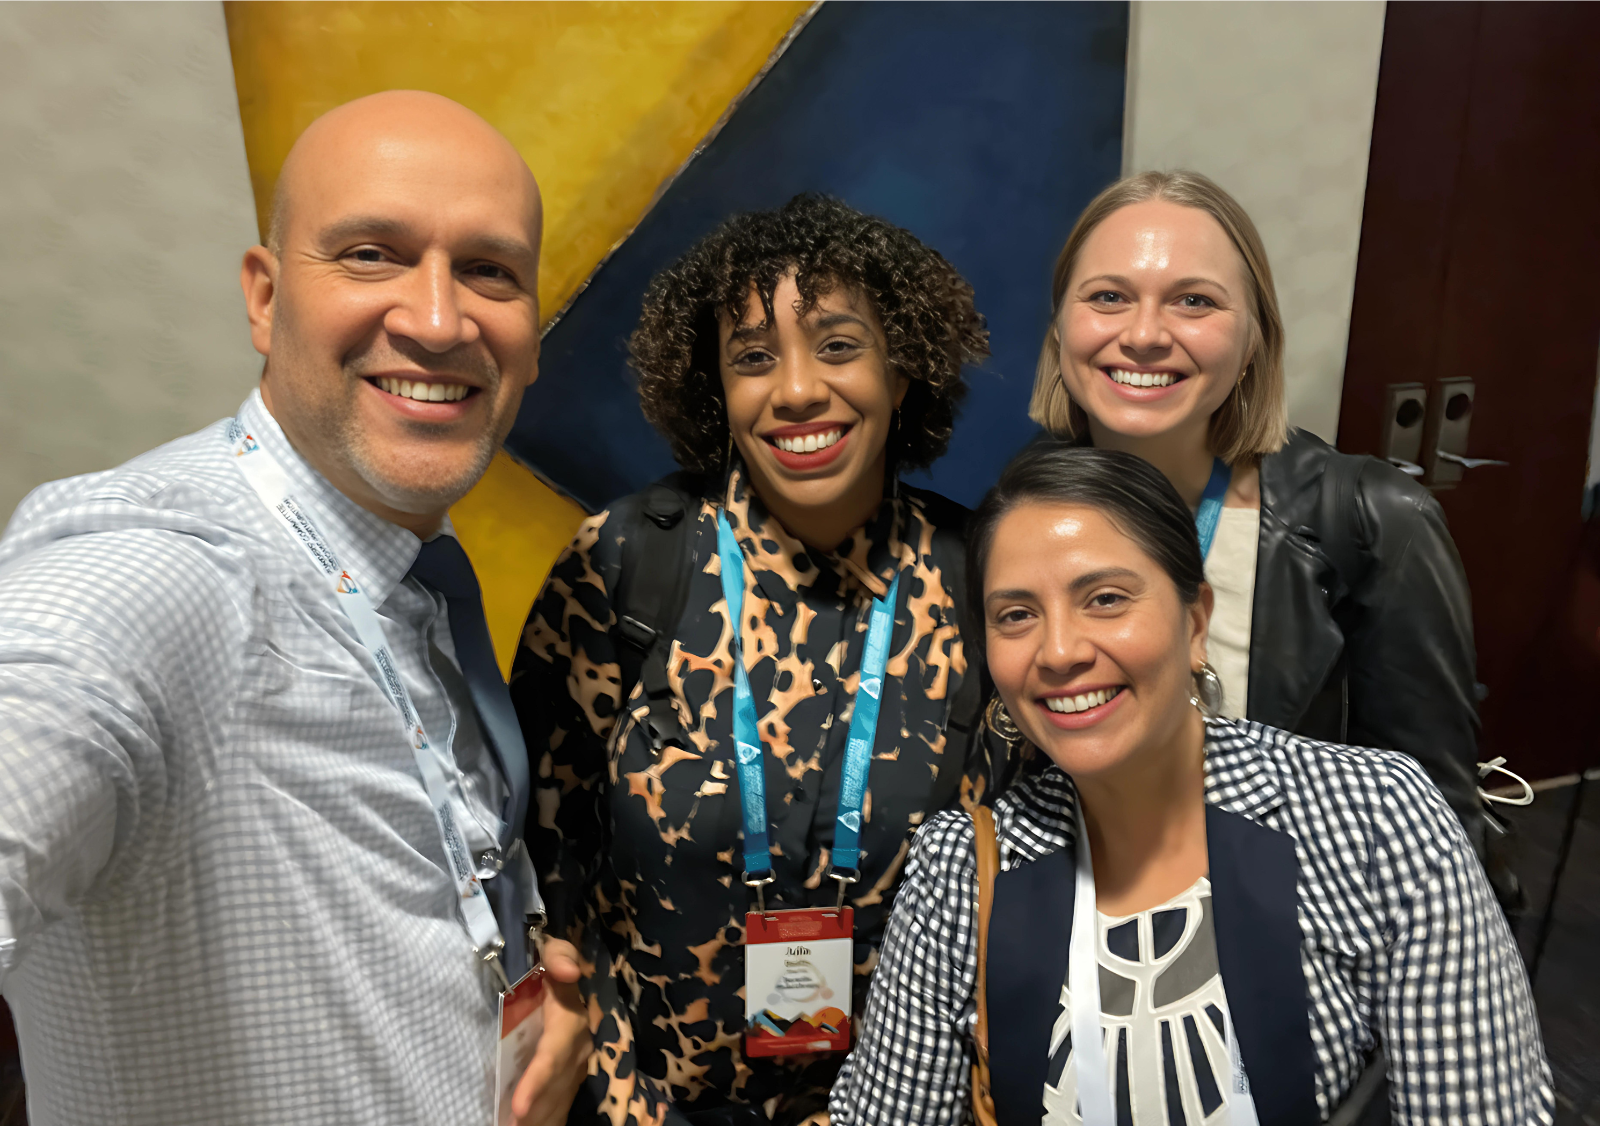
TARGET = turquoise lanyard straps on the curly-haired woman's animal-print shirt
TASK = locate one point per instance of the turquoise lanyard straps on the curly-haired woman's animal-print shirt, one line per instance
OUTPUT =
(748, 737)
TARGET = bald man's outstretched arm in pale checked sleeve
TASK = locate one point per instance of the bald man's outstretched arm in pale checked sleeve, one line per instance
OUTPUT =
(110, 645)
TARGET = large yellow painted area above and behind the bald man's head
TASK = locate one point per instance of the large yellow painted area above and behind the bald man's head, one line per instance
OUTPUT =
(604, 100)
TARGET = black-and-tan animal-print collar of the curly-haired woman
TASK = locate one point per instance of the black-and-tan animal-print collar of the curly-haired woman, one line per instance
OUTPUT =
(871, 556)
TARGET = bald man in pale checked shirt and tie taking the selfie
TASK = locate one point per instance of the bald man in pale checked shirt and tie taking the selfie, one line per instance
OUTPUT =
(262, 789)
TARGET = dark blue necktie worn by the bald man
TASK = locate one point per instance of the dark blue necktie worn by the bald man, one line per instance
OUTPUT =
(446, 569)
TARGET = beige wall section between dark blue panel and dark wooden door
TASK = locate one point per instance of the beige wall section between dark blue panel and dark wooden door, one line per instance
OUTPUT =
(1276, 103)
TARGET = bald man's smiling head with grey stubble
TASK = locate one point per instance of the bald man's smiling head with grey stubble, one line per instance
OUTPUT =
(399, 311)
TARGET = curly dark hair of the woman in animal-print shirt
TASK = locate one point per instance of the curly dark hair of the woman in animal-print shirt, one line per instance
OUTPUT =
(924, 305)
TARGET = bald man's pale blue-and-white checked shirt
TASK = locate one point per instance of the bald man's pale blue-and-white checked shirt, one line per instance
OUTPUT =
(222, 898)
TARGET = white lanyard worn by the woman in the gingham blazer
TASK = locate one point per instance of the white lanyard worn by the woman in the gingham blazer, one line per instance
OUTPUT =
(1089, 1052)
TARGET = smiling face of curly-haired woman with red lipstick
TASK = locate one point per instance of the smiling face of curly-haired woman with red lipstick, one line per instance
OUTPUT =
(810, 402)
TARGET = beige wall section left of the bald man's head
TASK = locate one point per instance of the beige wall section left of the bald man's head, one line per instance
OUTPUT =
(126, 207)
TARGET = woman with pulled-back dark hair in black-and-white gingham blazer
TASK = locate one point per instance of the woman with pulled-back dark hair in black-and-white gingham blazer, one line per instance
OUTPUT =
(1278, 925)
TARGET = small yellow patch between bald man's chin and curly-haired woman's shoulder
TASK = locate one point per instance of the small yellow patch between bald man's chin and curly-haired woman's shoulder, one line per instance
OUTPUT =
(513, 527)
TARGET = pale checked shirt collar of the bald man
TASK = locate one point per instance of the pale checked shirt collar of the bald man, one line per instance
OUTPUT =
(377, 553)
